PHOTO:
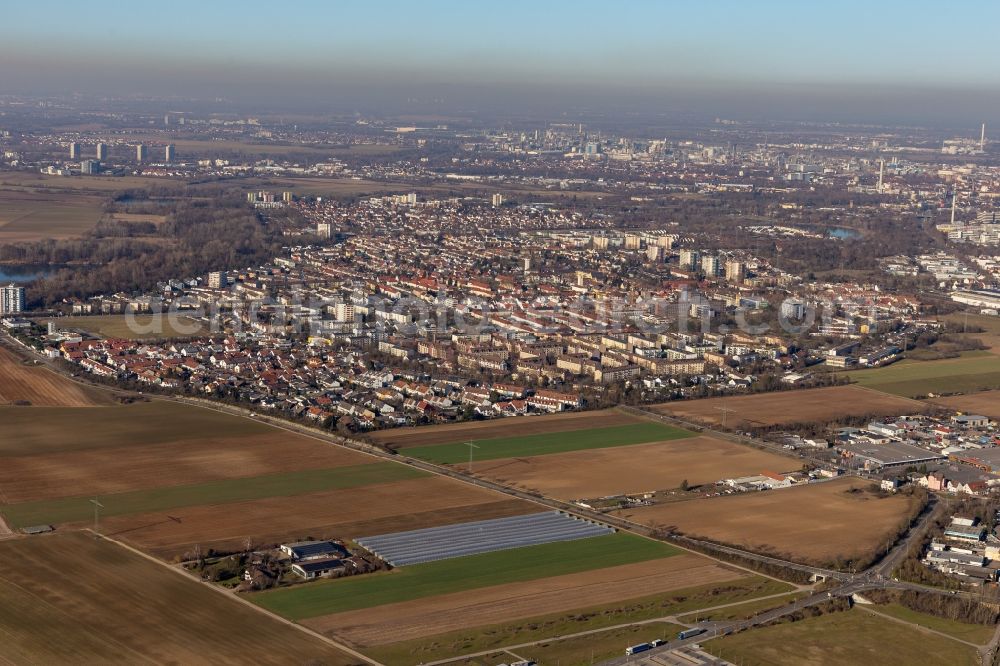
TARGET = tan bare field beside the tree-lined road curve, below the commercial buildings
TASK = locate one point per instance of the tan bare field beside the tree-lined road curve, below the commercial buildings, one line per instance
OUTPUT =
(818, 522)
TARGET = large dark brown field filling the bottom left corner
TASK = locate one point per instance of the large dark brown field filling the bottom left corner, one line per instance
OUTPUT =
(72, 598)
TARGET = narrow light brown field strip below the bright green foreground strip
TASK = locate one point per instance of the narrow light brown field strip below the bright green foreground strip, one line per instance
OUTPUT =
(501, 603)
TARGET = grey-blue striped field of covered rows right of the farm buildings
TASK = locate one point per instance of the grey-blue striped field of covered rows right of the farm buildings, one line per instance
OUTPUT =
(482, 536)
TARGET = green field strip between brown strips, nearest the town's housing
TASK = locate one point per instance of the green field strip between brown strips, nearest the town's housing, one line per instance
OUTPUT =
(557, 442)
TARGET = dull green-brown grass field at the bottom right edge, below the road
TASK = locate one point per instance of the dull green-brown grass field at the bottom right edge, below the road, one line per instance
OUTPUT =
(835, 639)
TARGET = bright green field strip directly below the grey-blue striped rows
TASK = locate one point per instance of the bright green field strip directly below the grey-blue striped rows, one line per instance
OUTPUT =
(461, 574)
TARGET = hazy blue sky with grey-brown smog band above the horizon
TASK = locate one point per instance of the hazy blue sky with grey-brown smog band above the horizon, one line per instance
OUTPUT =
(884, 55)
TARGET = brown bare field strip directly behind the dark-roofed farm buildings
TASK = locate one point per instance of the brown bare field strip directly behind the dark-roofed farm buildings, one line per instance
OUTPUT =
(346, 513)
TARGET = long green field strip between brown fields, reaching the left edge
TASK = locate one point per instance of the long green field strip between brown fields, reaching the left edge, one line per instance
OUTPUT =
(224, 491)
